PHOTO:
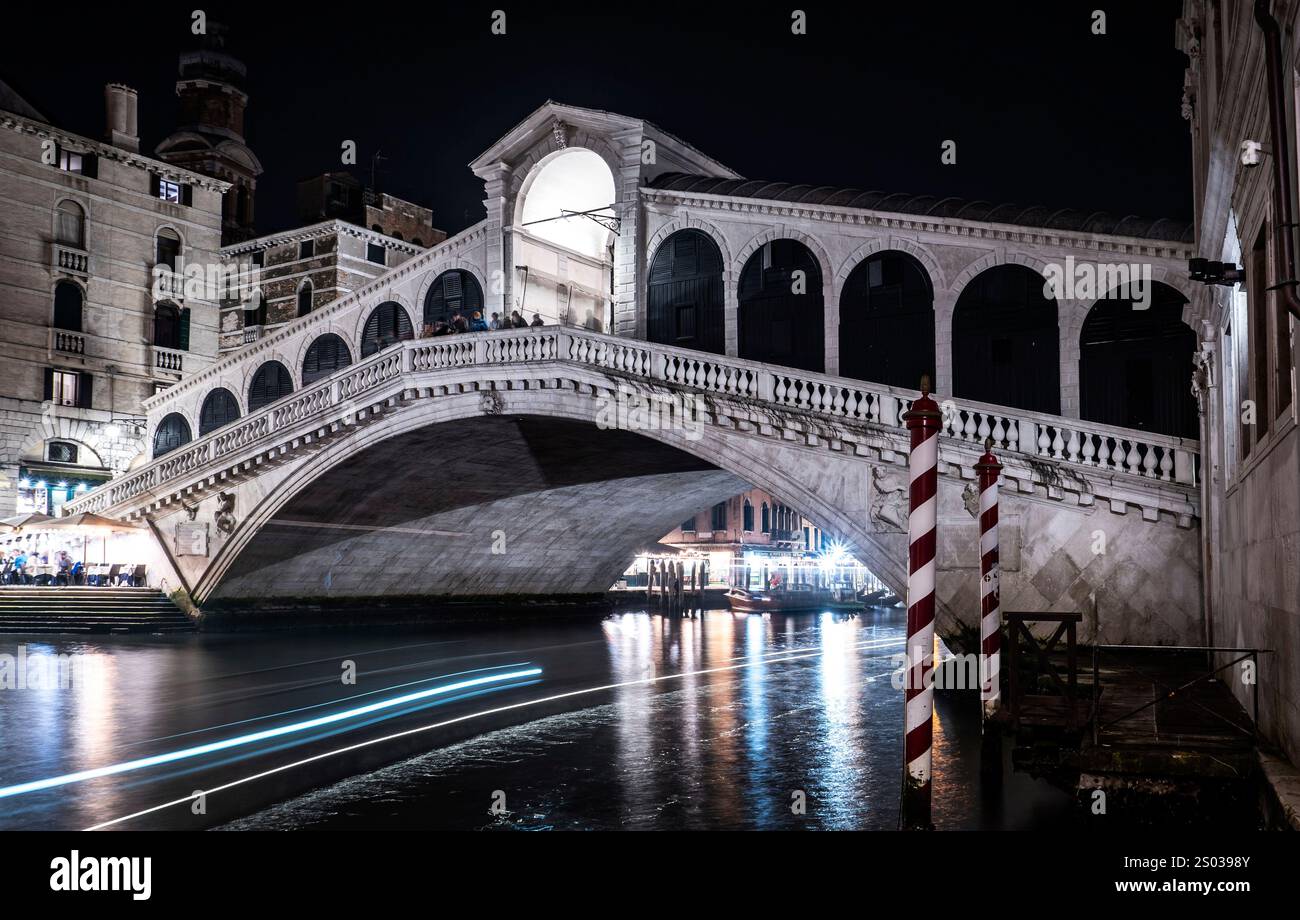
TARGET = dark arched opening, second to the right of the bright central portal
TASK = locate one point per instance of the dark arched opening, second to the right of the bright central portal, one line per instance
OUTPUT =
(781, 307)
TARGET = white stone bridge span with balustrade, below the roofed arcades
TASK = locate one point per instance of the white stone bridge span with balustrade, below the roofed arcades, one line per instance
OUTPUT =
(527, 463)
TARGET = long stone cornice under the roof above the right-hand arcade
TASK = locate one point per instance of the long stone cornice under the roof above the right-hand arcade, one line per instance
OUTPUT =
(1037, 237)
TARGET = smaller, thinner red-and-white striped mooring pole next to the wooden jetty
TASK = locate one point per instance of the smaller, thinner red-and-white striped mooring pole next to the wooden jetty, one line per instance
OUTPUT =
(991, 614)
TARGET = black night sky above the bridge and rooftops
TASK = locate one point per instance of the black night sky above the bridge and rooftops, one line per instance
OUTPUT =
(1043, 111)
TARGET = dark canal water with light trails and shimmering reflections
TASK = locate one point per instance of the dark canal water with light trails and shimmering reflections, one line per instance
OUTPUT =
(631, 722)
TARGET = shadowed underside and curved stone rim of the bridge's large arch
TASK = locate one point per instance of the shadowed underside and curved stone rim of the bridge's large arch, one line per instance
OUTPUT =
(415, 505)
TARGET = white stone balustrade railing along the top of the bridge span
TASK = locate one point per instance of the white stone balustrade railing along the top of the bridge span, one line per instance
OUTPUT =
(1054, 439)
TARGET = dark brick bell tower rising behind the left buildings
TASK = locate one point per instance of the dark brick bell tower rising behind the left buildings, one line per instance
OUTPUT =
(210, 136)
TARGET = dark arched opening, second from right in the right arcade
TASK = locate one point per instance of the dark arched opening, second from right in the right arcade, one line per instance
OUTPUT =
(1006, 346)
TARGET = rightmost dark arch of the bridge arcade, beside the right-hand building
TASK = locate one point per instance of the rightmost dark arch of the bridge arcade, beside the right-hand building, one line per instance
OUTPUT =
(1136, 364)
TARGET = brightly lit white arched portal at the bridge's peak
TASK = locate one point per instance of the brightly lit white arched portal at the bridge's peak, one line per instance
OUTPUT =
(566, 220)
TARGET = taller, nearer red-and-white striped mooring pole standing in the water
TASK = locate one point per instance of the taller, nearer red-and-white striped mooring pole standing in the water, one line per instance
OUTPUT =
(924, 420)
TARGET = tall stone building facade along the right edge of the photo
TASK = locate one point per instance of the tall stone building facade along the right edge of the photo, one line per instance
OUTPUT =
(1241, 103)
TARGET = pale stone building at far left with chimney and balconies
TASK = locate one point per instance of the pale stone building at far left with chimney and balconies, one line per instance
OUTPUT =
(98, 244)
